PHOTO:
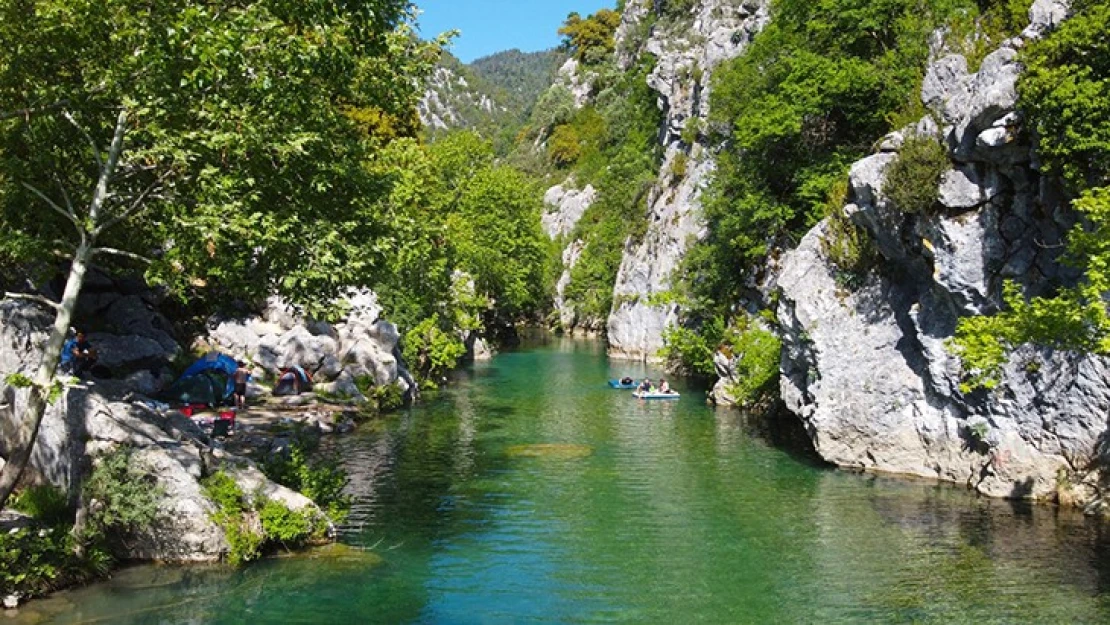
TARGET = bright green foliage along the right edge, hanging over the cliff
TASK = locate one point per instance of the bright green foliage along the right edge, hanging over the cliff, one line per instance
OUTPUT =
(1065, 94)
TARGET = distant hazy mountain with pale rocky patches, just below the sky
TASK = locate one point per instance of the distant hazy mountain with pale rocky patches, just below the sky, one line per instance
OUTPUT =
(492, 96)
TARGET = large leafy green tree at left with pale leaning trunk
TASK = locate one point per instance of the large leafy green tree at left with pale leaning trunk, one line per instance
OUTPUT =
(215, 145)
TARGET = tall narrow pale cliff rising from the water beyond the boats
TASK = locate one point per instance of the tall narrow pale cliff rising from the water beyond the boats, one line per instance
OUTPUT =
(688, 52)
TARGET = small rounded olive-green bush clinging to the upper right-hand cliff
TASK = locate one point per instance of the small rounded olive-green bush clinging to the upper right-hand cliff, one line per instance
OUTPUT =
(913, 180)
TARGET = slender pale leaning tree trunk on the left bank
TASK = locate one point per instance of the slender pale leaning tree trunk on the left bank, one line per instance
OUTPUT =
(28, 430)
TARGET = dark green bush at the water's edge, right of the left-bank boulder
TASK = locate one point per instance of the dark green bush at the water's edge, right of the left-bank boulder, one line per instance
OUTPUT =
(319, 478)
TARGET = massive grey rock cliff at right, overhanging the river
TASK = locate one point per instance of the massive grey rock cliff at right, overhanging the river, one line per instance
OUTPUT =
(869, 372)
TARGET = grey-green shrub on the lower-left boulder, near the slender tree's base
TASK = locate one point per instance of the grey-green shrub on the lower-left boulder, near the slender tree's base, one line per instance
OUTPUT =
(128, 496)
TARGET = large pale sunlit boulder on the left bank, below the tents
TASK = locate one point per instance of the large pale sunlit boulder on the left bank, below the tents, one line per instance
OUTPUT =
(90, 420)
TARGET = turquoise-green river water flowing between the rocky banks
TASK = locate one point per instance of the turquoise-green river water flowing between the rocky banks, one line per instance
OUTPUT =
(634, 512)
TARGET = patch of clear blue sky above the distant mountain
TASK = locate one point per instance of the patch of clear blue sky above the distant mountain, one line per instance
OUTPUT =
(492, 26)
